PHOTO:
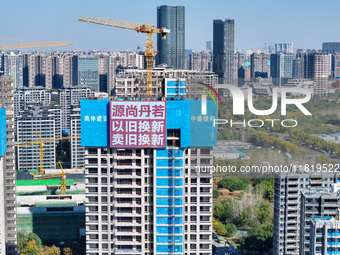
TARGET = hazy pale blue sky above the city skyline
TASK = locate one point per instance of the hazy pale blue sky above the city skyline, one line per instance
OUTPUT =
(306, 23)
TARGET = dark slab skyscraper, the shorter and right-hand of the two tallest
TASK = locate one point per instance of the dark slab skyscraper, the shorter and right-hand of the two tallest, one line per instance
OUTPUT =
(223, 48)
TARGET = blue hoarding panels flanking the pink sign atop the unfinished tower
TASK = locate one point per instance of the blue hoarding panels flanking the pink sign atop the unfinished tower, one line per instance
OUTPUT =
(196, 130)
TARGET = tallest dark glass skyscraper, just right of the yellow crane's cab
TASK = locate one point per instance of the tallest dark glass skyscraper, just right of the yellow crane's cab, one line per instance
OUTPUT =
(171, 49)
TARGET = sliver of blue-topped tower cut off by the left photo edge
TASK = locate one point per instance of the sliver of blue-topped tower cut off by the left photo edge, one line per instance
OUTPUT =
(3, 150)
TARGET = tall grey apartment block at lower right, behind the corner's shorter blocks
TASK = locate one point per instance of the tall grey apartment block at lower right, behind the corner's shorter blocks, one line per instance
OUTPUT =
(292, 208)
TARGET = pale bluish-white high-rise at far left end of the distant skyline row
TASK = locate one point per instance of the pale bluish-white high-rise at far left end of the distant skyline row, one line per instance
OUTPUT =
(12, 65)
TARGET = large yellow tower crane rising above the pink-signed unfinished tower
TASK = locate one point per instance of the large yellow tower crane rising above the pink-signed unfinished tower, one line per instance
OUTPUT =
(141, 28)
